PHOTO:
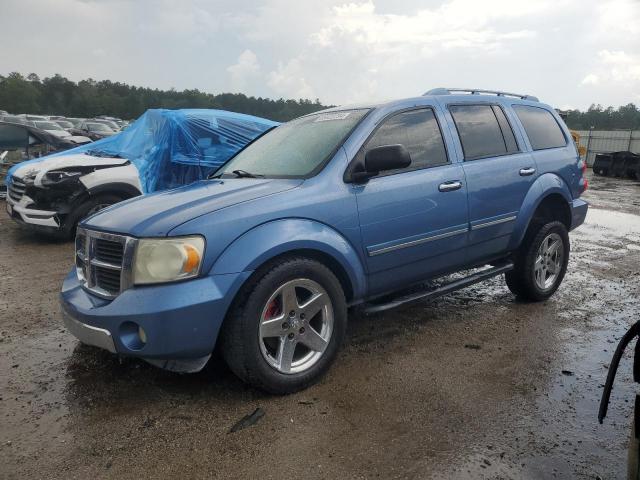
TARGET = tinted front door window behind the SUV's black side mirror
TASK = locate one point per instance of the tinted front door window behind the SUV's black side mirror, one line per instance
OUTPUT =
(418, 131)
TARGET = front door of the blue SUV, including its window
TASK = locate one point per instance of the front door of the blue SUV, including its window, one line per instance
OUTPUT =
(413, 221)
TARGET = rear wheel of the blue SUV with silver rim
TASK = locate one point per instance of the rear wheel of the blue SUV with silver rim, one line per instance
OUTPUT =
(541, 262)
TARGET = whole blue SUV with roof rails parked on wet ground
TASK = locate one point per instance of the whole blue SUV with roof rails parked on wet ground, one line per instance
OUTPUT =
(341, 208)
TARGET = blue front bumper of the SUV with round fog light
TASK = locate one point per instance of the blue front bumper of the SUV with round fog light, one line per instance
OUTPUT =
(181, 321)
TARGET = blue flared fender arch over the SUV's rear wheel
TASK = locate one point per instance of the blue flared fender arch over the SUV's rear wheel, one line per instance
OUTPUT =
(545, 185)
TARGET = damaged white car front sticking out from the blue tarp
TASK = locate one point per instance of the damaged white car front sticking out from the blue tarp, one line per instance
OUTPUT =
(53, 195)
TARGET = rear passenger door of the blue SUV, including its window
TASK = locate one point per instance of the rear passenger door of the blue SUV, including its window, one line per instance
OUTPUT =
(498, 172)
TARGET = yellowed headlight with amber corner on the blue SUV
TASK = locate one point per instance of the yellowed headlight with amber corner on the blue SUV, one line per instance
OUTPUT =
(160, 260)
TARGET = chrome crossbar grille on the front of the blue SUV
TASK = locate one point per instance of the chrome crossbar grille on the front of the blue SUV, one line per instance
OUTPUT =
(87, 265)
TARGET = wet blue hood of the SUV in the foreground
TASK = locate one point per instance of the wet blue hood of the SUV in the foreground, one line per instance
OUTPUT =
(156, 214)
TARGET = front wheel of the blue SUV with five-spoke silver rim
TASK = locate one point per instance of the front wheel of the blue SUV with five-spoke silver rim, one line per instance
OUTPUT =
(286, 325)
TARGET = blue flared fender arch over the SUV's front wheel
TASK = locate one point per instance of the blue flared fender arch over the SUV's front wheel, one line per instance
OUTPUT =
(274, 238)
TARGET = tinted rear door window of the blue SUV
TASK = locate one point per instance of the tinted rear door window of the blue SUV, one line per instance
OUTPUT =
(483, 130)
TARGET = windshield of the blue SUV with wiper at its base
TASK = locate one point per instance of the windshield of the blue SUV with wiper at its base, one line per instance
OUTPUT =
(294, 149)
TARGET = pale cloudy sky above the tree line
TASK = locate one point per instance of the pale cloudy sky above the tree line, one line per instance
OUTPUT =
(569, 53)
